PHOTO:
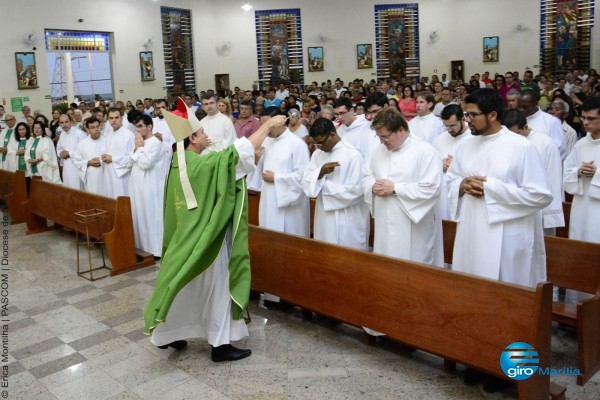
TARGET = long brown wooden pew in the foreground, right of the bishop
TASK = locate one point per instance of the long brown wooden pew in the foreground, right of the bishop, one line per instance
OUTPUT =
(459, 317)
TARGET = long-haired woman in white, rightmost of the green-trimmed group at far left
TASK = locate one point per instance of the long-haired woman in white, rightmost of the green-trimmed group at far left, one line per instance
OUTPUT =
(40, 155)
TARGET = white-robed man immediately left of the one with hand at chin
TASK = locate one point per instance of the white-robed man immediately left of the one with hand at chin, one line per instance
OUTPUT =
(119, 146)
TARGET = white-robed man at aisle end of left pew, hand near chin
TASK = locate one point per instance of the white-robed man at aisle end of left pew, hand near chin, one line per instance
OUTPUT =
(146, 187)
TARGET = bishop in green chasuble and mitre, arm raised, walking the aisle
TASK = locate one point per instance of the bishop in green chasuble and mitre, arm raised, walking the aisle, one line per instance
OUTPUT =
(203, 283)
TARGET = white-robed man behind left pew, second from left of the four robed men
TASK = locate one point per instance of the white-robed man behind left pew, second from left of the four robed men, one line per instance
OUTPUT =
(87, 158)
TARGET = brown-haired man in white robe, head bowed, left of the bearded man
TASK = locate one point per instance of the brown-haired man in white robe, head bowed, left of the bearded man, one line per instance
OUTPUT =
(402, 188)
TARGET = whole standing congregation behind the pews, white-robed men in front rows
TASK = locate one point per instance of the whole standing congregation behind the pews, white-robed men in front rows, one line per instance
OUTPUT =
(496, 154)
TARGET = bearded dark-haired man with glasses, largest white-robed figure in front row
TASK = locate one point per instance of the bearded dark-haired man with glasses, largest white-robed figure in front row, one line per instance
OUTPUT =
(497, 188)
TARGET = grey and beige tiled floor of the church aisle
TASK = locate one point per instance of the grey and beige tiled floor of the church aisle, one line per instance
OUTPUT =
(73, 339)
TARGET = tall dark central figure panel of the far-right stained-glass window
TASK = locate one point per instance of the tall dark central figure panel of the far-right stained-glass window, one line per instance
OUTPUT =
(566, 33)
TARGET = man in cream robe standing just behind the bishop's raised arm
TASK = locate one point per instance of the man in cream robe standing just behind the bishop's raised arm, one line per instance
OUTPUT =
(217, 126)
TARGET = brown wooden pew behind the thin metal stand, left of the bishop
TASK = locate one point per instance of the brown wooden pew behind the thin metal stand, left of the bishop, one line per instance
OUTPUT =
(48, 201)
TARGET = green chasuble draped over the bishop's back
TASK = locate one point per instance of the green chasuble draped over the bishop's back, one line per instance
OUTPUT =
(193, 238)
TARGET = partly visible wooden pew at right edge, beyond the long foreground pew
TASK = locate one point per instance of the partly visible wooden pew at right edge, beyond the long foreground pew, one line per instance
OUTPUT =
(573, 264)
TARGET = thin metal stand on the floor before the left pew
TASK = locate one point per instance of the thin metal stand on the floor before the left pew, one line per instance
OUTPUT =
(86, 221)
